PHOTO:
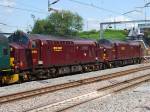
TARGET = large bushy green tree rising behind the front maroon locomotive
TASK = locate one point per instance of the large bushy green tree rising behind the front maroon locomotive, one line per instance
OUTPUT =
(59, 23)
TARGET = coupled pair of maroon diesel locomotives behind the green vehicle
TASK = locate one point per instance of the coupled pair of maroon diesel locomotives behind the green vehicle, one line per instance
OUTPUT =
(39, 56)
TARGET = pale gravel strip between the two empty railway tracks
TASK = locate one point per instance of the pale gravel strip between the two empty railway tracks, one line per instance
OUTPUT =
(54, 97)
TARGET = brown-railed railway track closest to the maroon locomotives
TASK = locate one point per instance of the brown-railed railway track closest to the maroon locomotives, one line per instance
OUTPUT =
(47, 89)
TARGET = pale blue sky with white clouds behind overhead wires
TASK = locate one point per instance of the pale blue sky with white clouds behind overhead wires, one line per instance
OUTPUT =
(15, 17)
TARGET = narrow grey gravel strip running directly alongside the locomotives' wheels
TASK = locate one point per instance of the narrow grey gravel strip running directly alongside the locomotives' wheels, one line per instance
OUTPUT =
(37, 84)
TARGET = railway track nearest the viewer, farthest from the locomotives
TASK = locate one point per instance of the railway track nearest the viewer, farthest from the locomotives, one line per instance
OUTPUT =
(102, 92)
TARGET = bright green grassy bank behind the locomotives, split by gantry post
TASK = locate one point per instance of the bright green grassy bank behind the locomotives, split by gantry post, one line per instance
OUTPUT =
(108, 34)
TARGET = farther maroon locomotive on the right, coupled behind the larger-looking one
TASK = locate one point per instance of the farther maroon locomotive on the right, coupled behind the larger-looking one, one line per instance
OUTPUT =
(119, 53)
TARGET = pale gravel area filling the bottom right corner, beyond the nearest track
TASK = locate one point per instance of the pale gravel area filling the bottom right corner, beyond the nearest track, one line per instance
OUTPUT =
(132, 100)
